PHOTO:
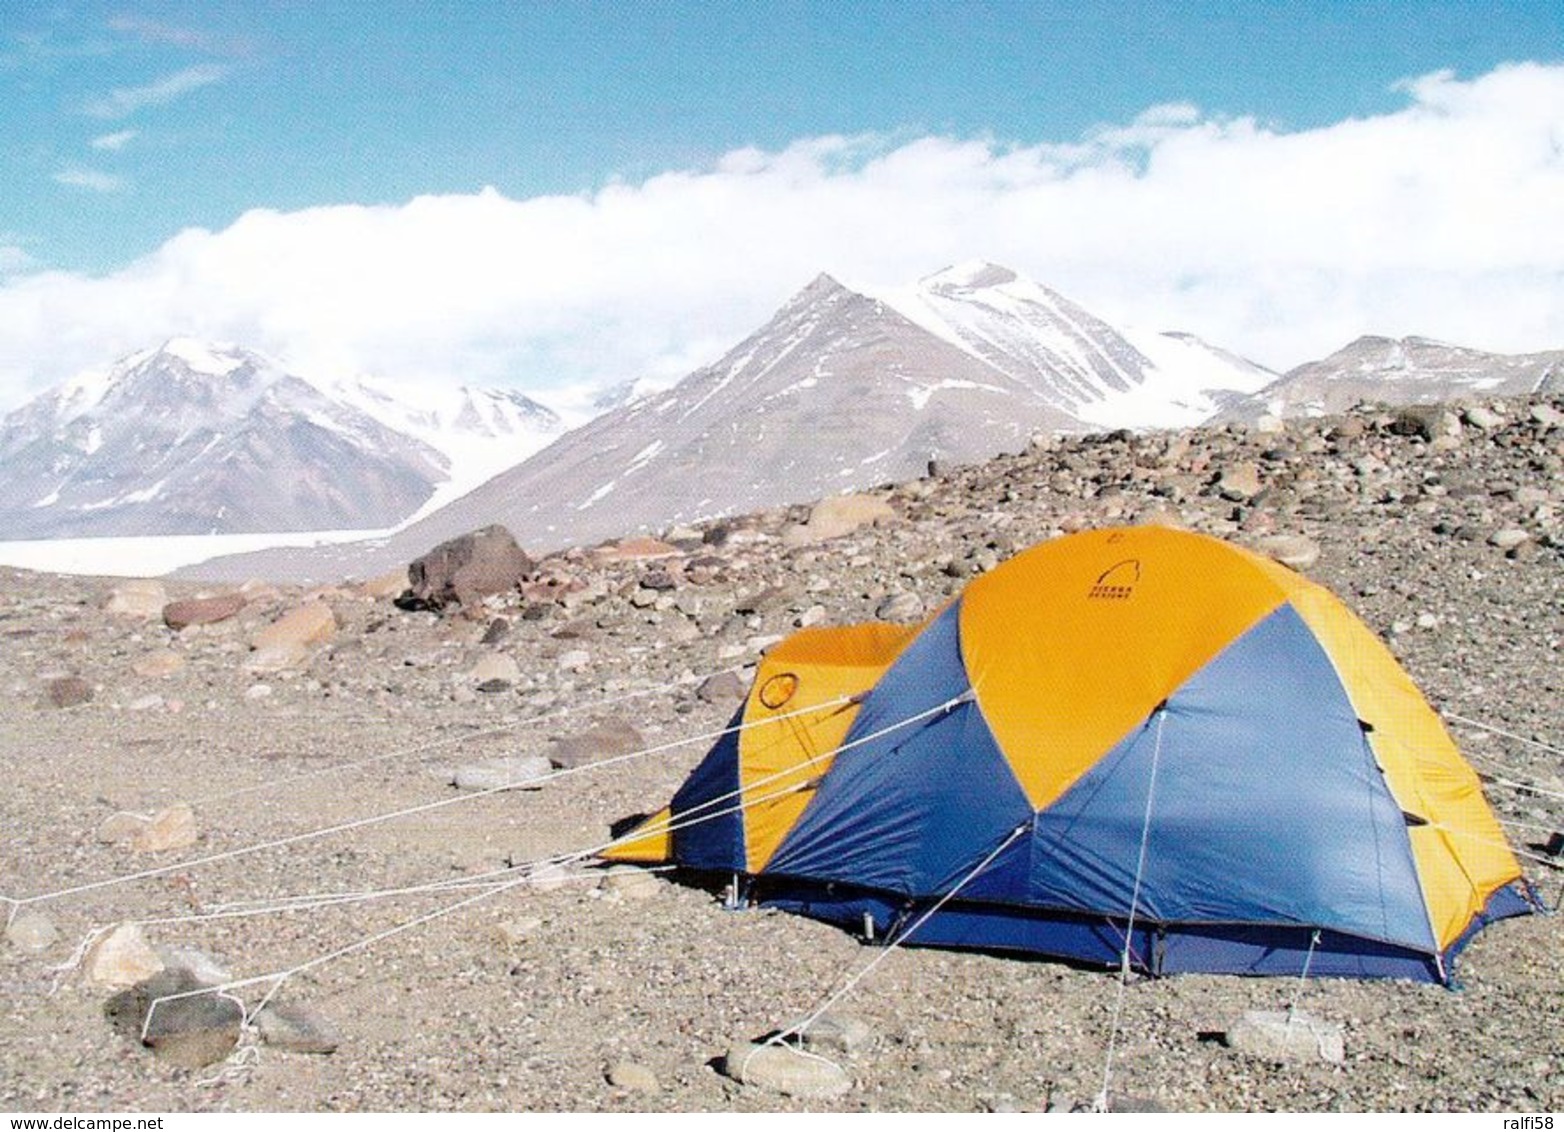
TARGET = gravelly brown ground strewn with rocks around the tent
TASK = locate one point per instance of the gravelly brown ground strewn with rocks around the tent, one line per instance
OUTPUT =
(271, 714)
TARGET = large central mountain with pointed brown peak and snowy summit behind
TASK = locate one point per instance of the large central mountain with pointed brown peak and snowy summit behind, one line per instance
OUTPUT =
(841, 390)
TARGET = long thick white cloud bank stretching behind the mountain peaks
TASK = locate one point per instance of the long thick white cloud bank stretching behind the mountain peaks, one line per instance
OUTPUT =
(1443, 220)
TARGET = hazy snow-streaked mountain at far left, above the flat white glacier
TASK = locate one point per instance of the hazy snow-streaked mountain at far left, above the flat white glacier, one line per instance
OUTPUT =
(199, 439)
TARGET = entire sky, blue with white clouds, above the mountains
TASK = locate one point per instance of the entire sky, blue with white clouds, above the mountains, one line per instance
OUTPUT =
(559, 196)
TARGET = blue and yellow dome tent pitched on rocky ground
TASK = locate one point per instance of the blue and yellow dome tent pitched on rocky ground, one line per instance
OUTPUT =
(1132, 731)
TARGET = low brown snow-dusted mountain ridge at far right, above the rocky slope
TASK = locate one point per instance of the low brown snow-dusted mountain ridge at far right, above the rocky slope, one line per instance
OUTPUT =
(1399, 373)
